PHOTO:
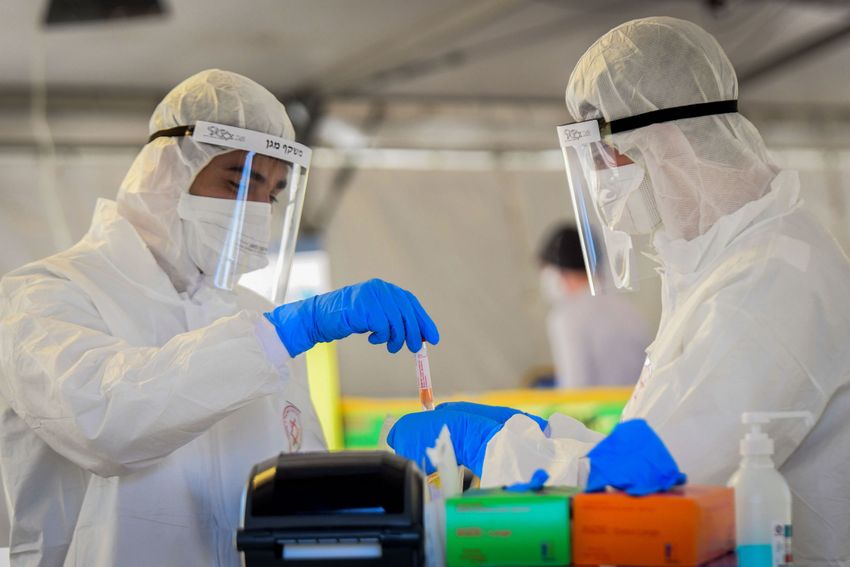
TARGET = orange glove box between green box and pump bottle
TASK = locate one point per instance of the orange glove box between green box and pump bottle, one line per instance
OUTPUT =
(690, 525)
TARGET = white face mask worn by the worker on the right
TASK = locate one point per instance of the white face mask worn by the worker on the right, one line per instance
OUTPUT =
(626, 200)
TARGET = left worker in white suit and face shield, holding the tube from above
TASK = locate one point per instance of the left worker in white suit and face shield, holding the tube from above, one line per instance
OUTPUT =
(139, 383)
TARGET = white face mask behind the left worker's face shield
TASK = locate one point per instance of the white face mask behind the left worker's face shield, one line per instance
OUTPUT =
(206, 224)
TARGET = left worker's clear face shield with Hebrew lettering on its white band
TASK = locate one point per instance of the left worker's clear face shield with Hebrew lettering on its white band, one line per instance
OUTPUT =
(242, 212)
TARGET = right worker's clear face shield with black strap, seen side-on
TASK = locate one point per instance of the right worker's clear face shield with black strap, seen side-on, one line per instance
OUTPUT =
(612, 196)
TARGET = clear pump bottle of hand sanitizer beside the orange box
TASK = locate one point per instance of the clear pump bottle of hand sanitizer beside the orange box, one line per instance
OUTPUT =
(762, 497)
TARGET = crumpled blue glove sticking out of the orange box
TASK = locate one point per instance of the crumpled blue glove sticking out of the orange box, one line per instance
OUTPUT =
(634, 459)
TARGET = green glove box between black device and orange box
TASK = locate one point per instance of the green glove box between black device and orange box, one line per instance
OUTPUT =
(494, 527)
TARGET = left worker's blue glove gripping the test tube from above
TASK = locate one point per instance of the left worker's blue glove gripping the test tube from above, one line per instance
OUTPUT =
(392, 314)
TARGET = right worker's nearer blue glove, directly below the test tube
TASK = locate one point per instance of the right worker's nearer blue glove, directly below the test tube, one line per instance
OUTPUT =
(414, 432)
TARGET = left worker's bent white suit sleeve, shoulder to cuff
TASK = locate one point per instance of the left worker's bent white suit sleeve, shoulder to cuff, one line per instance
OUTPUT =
(108, 406)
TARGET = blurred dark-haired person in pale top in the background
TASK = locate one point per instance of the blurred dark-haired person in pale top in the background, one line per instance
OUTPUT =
(595, 341)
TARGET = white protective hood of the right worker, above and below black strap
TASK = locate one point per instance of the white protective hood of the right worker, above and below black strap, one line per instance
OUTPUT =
(699, 169)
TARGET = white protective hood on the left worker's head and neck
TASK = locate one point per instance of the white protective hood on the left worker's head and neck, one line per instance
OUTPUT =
(166, 167)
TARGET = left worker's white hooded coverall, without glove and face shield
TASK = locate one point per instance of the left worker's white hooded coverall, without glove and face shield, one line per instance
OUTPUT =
(135, 397)
